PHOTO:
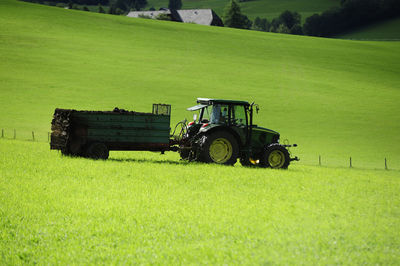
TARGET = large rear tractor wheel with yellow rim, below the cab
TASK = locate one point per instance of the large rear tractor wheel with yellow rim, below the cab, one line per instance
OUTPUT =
(219, 147)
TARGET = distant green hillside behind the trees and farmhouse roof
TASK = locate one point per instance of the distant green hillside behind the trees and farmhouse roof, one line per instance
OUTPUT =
(258, 8)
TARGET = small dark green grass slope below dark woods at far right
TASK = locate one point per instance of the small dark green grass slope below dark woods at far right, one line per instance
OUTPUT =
(386, 30)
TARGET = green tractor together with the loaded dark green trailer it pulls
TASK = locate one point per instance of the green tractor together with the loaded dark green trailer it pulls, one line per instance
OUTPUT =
(223, 133)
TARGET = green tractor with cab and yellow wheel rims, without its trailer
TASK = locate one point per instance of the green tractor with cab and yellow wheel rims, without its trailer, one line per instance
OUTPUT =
(224, 132)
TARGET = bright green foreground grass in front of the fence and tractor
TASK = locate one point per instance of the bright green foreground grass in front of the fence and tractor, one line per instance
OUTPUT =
(138, 208)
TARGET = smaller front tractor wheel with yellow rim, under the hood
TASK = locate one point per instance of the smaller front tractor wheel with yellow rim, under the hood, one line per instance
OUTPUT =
(275, 156)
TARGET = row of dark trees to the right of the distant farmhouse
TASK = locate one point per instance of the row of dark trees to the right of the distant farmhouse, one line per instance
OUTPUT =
(351, 14)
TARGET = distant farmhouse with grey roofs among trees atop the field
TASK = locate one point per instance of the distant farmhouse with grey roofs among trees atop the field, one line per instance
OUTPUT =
(197, 16)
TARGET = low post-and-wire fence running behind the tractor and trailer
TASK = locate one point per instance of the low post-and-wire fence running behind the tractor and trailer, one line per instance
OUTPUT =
(45, 137)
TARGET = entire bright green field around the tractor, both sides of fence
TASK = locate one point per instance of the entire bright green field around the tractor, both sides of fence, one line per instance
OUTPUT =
(335, 98)
